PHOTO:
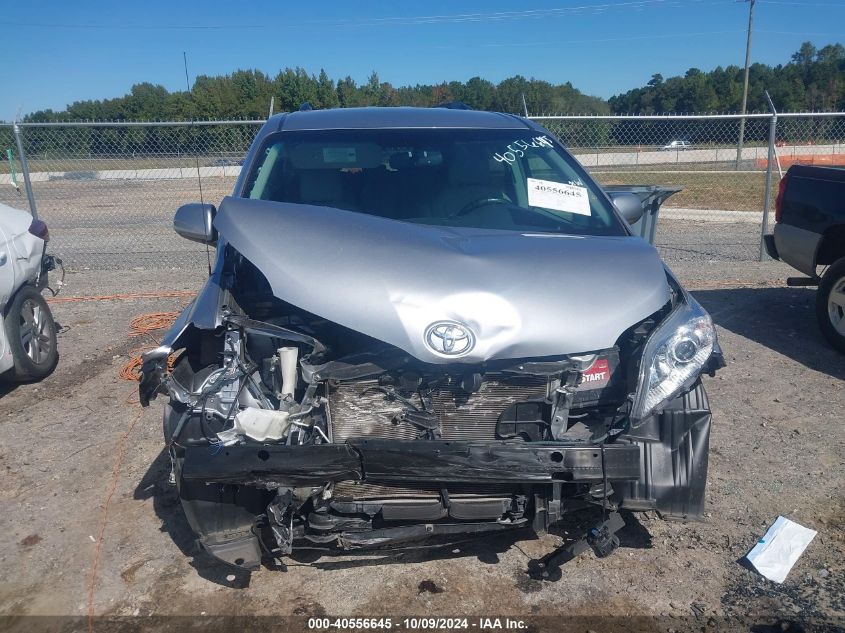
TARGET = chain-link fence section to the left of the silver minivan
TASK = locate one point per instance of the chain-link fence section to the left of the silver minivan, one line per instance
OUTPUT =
(108, 192)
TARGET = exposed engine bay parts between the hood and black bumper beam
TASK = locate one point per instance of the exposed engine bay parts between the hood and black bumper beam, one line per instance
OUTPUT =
(263, 392)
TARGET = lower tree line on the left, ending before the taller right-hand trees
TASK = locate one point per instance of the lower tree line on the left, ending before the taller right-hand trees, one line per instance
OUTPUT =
(246, 94)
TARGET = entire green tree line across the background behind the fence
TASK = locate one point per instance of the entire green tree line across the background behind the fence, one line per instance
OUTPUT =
(813, 79)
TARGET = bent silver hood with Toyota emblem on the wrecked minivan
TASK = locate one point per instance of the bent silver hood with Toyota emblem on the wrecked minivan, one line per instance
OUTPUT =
(520, 295)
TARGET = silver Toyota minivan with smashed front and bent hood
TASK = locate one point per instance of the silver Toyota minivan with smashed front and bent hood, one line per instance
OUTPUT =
(426, 324)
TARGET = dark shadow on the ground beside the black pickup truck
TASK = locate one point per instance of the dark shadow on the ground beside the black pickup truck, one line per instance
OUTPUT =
(782, 319)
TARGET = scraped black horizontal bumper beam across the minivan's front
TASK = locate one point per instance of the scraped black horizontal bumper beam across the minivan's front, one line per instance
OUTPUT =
(394, 461)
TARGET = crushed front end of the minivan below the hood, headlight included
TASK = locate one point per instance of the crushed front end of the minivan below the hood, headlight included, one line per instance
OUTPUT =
(286, 429)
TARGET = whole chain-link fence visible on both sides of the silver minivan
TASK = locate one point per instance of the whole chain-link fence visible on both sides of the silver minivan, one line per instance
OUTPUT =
(108, 191)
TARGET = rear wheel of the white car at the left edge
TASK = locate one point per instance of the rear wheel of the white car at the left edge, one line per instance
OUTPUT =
(31, 332)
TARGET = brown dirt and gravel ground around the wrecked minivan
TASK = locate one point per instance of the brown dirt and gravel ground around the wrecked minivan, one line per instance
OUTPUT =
(776, 449)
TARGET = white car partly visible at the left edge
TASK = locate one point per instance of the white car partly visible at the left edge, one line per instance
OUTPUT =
(28, 349)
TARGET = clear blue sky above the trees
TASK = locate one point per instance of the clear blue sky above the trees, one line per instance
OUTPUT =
(61, 52)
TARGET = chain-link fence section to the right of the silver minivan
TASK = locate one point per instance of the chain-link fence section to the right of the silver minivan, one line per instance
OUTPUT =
(719, 215)
